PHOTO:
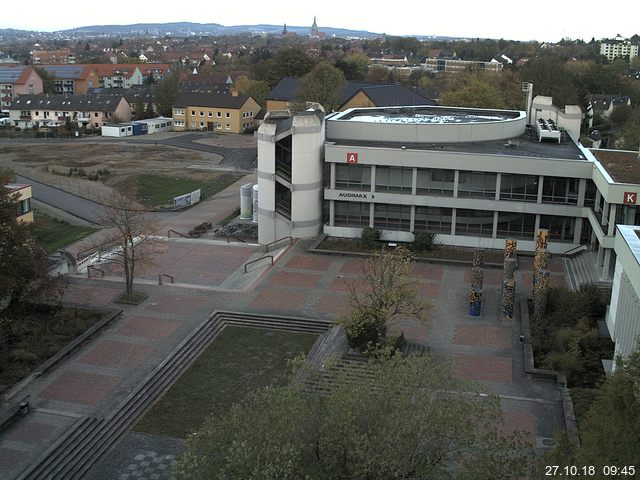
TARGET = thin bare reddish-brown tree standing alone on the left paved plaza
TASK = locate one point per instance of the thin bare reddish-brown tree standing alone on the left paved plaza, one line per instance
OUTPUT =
(130, 234)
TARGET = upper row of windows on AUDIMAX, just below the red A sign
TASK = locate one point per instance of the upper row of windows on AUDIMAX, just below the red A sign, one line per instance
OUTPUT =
(470, 184)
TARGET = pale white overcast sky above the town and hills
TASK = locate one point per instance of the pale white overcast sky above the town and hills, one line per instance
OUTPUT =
(547, 20)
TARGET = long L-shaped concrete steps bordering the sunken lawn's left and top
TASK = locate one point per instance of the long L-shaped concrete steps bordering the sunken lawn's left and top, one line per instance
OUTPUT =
(90, 438)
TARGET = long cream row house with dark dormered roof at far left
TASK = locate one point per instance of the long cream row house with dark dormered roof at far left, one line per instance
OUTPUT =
(85, 111)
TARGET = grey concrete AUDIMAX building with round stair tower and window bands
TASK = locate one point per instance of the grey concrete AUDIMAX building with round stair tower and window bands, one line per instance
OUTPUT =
(472, 176)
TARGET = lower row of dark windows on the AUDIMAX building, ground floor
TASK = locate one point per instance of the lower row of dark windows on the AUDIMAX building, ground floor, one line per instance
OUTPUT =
(476, 223)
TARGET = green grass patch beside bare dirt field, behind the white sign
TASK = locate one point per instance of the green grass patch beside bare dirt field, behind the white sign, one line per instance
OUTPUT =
(159, 190)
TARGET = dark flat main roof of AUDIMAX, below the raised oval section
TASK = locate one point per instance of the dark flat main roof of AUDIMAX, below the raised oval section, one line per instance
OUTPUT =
(525, 145)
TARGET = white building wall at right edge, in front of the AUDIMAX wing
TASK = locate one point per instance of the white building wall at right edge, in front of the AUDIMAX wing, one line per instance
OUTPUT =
(623, 314)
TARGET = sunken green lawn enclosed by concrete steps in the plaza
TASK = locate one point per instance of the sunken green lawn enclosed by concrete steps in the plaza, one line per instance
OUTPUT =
(239, 360)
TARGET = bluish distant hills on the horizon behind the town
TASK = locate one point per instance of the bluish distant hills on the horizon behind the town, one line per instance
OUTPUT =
(188, 29)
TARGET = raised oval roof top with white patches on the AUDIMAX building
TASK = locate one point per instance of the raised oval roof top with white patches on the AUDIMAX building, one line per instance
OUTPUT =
(426, 115)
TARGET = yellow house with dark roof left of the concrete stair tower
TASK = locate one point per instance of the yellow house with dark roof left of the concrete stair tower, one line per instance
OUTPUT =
(214, 112)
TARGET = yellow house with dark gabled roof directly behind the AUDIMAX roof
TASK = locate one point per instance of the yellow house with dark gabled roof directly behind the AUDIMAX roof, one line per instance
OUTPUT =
(354, 94)
